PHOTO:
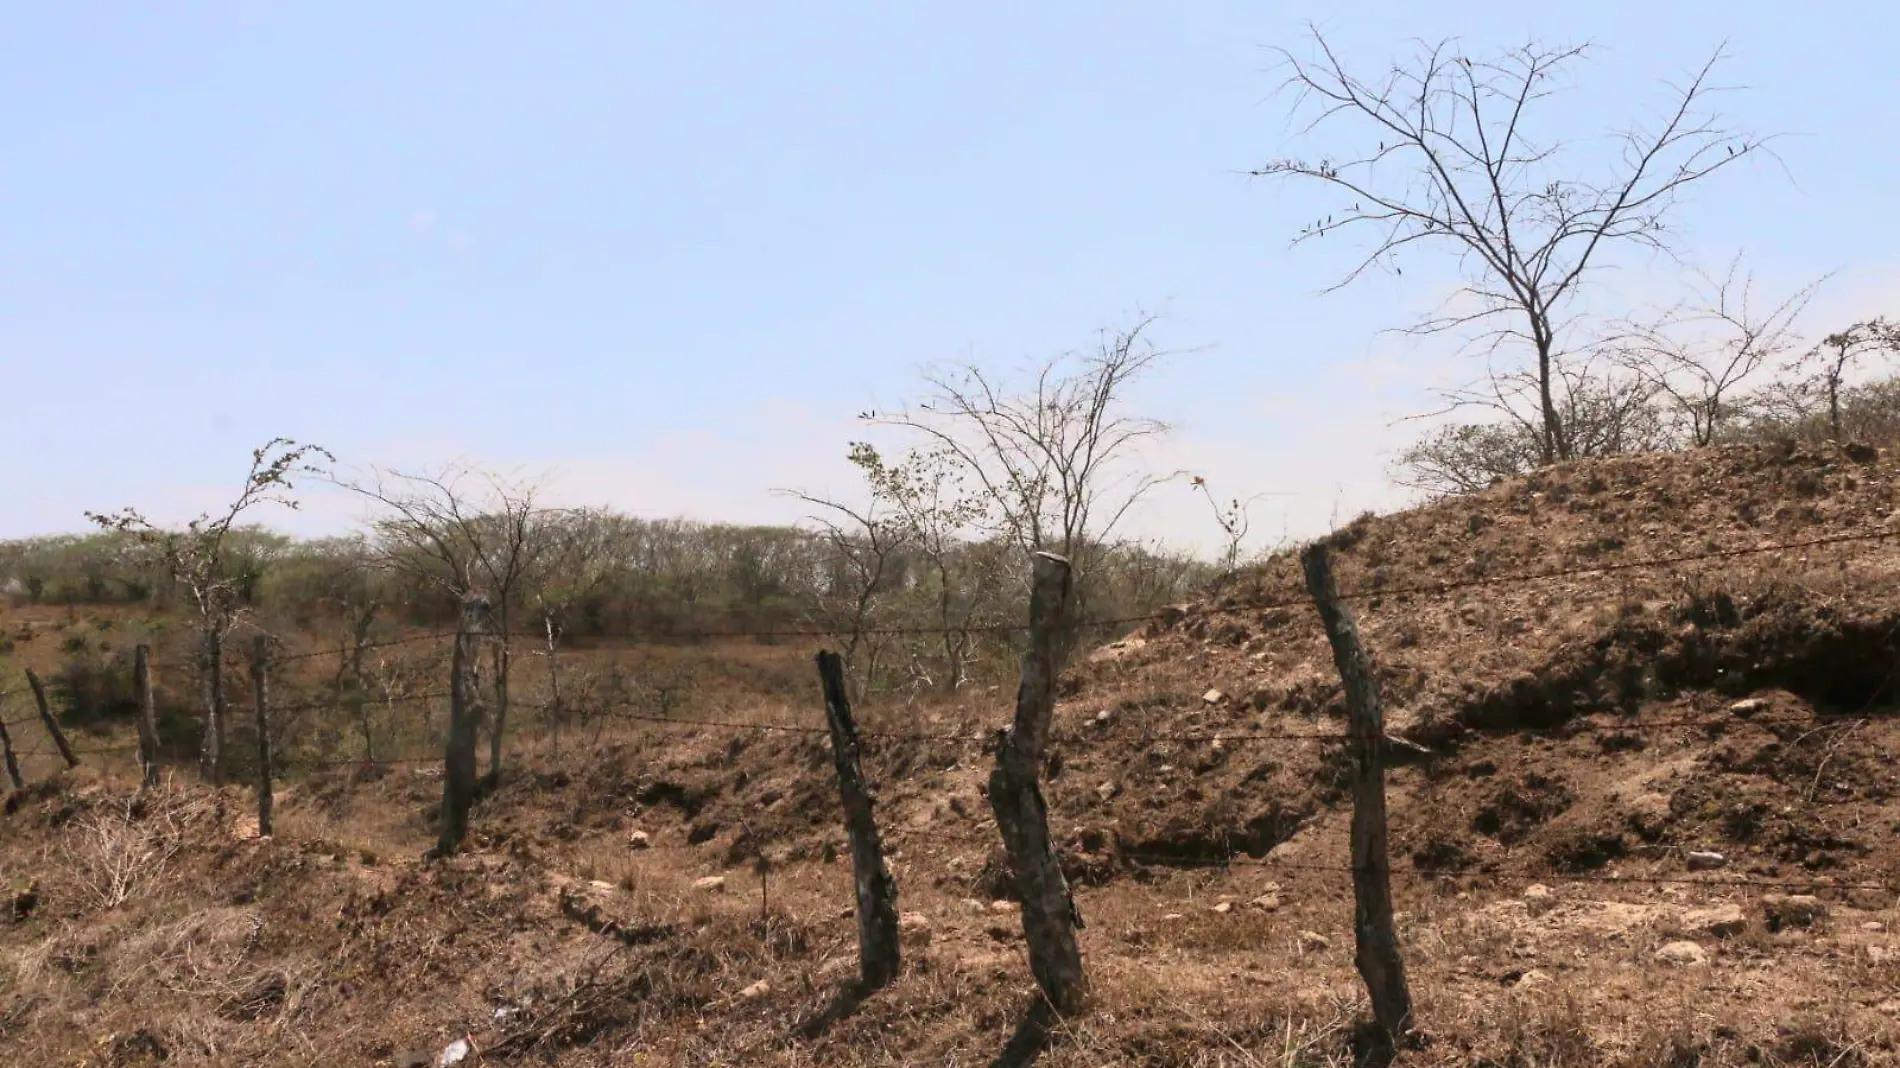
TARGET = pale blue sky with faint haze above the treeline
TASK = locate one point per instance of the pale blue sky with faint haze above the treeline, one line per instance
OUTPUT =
(670, 250)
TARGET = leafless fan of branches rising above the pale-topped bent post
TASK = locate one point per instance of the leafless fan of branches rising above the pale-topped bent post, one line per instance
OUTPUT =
(1057, 461)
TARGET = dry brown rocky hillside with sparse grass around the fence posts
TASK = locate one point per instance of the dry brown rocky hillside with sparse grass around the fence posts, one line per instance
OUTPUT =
(1574, 727)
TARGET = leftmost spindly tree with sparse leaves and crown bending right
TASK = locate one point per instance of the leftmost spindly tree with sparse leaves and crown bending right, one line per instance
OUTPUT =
(199, 560)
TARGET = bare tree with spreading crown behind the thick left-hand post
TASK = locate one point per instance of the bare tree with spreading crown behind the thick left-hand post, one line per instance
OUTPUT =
(465, 533)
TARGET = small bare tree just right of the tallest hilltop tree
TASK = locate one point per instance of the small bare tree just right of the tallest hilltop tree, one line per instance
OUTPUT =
(1701, 351)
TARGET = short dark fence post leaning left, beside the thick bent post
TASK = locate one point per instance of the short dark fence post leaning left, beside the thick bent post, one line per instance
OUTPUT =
(877, 890)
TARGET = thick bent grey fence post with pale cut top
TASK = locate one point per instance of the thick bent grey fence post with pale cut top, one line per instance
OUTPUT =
(1050, 917)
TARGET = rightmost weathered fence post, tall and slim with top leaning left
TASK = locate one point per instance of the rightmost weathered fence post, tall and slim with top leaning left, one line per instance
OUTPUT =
(1373, 881)
